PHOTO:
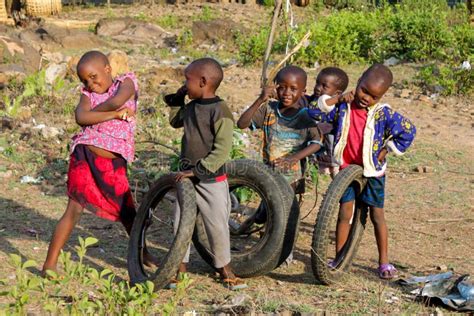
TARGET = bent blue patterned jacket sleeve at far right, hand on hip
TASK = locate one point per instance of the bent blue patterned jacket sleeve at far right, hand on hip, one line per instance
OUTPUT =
(401, 133)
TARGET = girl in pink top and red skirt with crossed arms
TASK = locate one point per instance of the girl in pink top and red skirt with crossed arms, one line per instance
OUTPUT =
(97, 176)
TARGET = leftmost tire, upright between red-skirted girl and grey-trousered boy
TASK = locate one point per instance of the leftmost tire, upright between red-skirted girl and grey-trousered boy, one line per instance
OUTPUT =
(153, 215)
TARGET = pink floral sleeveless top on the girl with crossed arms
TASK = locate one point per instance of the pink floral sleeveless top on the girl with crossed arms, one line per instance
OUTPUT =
(115, 135)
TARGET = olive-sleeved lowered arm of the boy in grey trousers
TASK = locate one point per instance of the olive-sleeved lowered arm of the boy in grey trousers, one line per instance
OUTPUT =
(224, 128)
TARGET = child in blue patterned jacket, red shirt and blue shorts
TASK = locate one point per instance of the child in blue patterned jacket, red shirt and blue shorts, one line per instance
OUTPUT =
(366, 131)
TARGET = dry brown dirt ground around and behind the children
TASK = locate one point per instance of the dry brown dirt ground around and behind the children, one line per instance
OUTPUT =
(430, 214)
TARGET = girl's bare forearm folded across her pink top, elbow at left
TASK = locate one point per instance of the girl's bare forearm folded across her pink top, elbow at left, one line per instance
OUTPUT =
(84, 115)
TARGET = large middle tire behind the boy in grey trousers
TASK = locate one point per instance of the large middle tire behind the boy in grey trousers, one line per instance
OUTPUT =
(266, 251)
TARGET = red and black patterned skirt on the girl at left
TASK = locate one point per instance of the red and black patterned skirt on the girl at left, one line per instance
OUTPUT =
(100, 185)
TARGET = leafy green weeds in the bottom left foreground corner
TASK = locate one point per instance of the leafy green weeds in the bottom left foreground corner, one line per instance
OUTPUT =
(82, 289)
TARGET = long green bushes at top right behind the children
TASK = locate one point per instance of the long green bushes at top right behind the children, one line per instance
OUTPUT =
(421, 30)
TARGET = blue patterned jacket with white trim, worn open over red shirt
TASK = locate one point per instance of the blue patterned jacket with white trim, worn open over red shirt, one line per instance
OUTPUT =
(384, 128)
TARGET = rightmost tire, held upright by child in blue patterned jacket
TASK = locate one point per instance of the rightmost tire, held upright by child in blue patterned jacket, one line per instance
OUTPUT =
(327, 267)
